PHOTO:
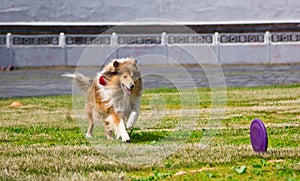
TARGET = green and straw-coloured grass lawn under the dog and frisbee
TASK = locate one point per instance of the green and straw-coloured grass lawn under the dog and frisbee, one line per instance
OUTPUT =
(44, 139)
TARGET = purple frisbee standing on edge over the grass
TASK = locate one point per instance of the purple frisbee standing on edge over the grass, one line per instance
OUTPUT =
(258, 136)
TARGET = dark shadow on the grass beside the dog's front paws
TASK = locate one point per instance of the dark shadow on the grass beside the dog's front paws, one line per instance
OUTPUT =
(147, 136)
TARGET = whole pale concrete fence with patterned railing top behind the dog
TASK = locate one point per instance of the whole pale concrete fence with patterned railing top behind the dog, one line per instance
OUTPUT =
(90, 50)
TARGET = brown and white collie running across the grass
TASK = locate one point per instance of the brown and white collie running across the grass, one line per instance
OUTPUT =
(113, 95)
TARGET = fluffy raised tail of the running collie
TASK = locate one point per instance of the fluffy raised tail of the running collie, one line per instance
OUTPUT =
(83, 82)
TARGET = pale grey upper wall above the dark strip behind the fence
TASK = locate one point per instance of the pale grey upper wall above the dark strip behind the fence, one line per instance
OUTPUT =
(174, 10)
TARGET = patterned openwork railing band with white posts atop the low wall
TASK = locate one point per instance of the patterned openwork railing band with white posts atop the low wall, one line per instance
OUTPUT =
(149, 39)
